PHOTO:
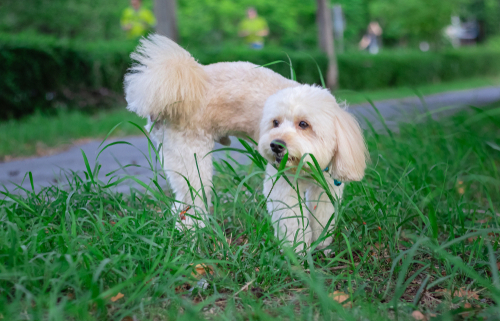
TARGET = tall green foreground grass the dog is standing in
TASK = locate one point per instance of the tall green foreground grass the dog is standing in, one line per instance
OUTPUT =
(423, 224)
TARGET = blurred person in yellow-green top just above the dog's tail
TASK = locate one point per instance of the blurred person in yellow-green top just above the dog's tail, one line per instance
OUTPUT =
(137, 21)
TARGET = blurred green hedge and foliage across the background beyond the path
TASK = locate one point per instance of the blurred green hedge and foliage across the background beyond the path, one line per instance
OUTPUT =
(62, 54)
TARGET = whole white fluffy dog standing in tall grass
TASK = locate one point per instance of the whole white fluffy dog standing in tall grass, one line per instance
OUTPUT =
(192, 106)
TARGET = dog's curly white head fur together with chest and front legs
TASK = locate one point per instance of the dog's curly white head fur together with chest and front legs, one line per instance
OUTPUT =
(332, 135)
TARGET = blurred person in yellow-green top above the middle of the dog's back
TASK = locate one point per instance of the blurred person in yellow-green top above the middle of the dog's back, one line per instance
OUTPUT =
(253, 29)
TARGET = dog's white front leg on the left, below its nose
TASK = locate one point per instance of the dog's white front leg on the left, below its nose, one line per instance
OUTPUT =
(283, 206)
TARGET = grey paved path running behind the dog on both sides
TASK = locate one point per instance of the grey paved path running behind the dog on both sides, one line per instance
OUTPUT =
(52, 169)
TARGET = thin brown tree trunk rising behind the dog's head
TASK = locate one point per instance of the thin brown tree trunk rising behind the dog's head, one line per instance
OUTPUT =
(325, 36)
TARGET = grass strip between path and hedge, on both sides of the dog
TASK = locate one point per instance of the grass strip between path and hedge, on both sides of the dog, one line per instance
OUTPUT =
(41, 134)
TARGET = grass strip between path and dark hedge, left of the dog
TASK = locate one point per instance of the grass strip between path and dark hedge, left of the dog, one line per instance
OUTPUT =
(39, 133)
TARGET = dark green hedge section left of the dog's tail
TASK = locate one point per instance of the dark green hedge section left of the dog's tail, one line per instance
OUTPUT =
(42, 72)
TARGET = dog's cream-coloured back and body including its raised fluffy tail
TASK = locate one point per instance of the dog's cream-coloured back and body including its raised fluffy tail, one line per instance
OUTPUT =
(224, 98)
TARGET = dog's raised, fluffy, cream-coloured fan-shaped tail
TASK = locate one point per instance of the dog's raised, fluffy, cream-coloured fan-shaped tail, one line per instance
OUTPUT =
(165, 82)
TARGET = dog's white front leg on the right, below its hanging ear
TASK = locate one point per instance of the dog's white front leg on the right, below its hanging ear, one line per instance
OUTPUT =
(322, 208)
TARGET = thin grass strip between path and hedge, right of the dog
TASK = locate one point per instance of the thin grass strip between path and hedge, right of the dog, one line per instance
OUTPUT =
(353, 97)
